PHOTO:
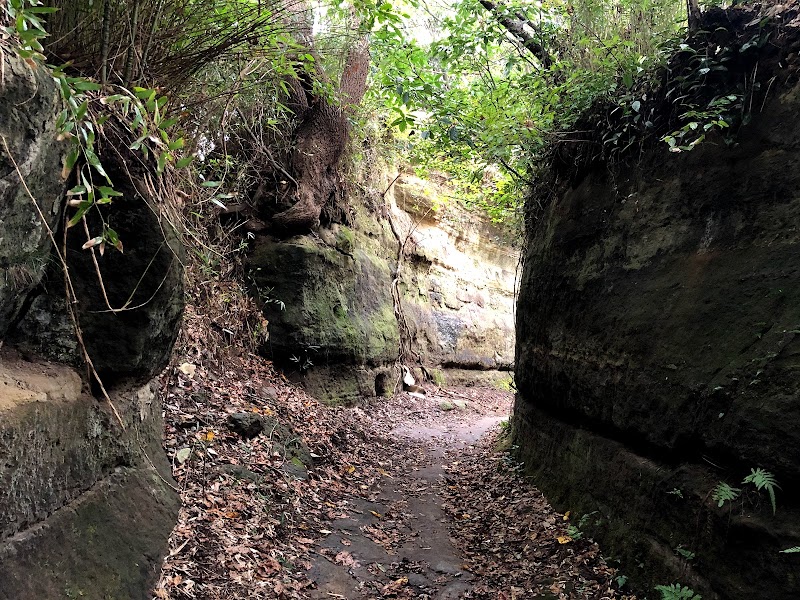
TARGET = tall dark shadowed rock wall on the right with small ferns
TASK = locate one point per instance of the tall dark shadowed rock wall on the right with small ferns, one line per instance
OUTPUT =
(658, 348)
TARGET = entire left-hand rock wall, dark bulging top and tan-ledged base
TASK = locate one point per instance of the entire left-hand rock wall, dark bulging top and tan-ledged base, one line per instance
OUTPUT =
(85, 501)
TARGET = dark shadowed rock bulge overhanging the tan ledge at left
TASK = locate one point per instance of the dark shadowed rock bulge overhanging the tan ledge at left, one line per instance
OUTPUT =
(144, 285)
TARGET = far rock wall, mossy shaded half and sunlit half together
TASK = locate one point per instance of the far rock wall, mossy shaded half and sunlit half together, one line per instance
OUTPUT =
(336, 327)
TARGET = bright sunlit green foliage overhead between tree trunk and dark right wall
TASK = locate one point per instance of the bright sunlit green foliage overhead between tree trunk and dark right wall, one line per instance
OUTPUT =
(467, 100)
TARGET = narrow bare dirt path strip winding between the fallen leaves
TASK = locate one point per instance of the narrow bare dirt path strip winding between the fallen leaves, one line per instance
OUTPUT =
(417, 558)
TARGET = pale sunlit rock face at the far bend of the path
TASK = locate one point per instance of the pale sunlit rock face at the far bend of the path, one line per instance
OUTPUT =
(458, 286)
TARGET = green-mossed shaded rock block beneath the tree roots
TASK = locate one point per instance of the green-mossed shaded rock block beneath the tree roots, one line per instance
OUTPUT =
(337, 308)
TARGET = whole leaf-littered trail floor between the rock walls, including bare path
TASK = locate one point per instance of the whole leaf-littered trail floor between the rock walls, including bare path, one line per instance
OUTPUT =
(397, 498)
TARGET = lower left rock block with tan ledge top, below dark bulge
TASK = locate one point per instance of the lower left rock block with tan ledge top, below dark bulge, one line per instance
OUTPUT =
(81, 499)
